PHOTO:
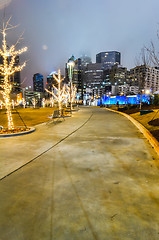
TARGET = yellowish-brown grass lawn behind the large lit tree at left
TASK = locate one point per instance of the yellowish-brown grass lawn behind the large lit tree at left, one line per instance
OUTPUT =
(31, 116)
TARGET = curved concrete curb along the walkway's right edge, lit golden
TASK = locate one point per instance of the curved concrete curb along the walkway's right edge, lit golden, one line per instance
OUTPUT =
(154, 143)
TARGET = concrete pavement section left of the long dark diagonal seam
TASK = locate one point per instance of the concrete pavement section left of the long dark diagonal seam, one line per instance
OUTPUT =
(17, 151)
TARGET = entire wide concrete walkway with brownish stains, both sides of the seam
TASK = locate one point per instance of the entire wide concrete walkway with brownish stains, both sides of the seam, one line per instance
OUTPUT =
(93, 176)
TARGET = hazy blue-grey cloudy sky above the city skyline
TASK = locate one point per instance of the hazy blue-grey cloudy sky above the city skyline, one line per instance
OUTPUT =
(56, 29)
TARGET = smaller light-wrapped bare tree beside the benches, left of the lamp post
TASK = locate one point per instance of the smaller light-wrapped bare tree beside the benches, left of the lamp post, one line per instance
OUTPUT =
(60, 92)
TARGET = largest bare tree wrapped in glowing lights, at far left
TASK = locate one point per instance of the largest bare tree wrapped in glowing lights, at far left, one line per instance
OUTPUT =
(8, 68)
